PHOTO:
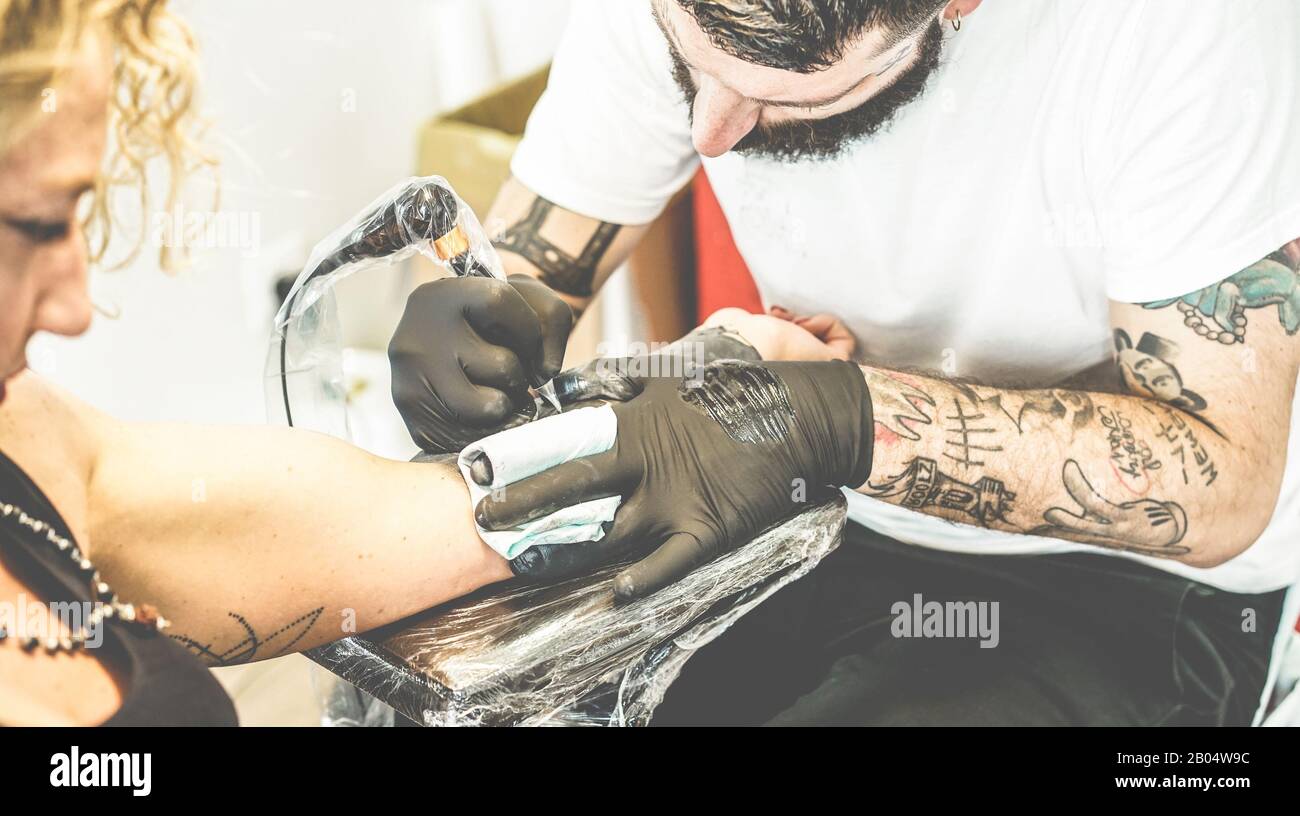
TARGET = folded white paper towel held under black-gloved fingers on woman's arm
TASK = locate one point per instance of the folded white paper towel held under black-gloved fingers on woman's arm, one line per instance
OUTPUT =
(531, 449)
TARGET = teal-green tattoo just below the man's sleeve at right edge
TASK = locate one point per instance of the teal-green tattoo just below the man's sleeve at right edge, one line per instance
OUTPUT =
(1219, 312)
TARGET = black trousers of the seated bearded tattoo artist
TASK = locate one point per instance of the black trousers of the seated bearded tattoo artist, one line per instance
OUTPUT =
(1084, 640)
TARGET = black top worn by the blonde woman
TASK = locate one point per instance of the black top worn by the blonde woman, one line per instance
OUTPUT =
(167, 685)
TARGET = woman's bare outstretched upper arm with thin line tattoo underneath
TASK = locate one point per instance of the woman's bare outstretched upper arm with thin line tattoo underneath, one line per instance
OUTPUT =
(261, 541)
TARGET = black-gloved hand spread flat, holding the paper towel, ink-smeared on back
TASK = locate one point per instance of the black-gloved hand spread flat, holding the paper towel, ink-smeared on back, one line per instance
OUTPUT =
(704, 463)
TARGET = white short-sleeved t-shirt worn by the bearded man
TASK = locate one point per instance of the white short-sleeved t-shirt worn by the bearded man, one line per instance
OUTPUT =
(1067, 153)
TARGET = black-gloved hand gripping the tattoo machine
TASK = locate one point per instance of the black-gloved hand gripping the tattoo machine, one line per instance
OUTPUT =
(467, 351)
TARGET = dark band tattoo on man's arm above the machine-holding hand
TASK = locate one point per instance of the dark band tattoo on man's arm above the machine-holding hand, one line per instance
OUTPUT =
(564, 271)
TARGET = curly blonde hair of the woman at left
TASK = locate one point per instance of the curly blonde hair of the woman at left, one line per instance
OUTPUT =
(153, 118)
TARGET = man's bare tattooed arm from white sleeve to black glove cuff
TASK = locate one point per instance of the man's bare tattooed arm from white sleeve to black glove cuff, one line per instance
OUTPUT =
(1186, 465)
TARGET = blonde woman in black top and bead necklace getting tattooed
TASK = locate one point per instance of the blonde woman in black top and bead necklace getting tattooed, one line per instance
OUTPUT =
(298, 532)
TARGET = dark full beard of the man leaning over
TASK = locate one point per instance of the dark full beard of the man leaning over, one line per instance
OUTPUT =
(829, 138)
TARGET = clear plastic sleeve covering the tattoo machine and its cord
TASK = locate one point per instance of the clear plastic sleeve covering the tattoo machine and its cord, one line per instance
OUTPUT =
(424, 216)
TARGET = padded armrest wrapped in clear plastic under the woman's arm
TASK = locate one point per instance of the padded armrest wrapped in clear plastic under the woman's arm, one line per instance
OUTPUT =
(565, 654)
